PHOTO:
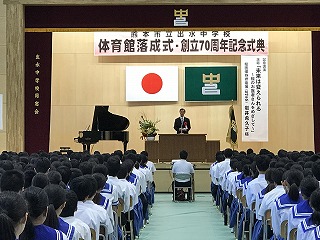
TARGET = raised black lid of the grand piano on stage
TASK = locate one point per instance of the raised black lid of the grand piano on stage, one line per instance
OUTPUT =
(103, 120)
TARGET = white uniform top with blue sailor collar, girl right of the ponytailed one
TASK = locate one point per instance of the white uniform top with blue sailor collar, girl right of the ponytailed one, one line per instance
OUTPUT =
(297, 214)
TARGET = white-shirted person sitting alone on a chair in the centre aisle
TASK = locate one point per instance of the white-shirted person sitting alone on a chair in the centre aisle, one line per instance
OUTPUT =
(184, 167)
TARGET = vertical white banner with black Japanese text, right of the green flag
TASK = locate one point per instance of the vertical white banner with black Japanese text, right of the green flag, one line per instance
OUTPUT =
(254, 78)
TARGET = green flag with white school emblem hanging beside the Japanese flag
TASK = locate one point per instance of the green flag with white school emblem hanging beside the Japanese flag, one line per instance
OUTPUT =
(211, 83)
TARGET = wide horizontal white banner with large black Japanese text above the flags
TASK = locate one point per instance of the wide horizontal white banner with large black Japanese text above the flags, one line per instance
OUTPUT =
(181, 43)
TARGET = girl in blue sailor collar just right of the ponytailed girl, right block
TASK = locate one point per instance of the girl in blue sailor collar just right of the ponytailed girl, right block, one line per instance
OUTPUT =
(302, 210)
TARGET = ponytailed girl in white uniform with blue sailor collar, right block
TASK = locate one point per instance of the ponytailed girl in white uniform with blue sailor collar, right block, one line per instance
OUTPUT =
(282, 205)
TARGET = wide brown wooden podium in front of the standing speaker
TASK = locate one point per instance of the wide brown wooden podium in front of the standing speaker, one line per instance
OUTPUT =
(169, 146)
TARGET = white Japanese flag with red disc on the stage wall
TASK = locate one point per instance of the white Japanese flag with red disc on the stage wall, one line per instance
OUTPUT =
(152, 83)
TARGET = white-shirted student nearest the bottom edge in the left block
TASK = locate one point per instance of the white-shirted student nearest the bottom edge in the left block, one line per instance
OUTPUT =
(67, 215)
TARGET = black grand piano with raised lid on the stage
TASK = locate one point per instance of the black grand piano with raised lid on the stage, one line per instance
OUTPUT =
(105, 126)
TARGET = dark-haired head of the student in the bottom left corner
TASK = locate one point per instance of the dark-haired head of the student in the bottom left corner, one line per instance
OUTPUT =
(13, 215)
